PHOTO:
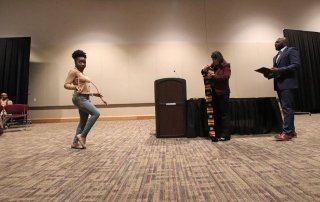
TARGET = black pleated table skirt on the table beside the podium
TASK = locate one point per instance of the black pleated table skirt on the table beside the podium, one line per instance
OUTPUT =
(248, 116)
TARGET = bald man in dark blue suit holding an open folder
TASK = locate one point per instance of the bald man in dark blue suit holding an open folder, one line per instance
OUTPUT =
(285, 66)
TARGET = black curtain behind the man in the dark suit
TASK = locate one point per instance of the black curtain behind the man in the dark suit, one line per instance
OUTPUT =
(308, 44)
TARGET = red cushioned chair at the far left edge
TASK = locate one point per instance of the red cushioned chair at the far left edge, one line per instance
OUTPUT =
(15, 114)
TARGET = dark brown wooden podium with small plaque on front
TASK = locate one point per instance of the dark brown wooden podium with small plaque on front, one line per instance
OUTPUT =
(170, 107)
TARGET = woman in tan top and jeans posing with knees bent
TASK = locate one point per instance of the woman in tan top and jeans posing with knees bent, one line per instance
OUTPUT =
(79, 83)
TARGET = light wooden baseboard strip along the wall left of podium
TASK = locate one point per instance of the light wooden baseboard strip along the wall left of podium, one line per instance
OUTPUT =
(101, 118)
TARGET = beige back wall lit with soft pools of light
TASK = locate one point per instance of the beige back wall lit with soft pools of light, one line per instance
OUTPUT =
(132, 43)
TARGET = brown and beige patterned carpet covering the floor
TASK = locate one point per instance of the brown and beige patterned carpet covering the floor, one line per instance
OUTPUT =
(124, 161)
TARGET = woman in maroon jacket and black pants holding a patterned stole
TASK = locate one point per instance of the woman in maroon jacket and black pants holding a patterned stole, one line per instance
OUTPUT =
(219, 73)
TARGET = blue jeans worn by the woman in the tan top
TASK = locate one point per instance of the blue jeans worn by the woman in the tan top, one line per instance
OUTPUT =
(85, 108)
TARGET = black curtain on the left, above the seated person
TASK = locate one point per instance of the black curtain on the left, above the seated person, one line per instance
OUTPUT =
(14, 68)
